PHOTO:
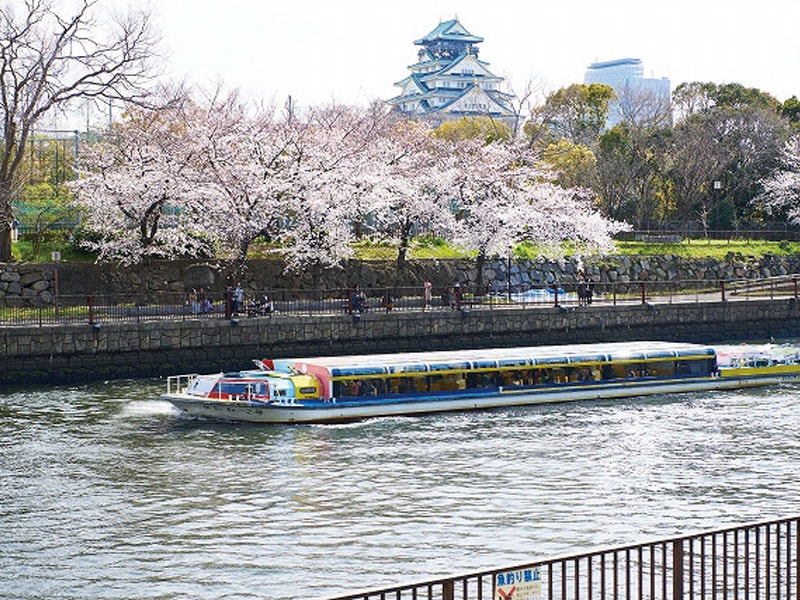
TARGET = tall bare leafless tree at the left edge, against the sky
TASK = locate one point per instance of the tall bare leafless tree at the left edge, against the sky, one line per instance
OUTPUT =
(52, 56)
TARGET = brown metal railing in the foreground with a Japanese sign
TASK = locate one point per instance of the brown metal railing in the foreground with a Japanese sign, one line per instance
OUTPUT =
(747, 562)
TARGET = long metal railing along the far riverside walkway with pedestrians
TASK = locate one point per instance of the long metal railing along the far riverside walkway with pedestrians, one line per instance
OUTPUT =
(96, 309)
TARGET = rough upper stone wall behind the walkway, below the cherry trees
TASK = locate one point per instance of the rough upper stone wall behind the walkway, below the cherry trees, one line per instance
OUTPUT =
(35, 284)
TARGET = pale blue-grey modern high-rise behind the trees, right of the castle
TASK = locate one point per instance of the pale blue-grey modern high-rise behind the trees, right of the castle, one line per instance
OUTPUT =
(639, 98)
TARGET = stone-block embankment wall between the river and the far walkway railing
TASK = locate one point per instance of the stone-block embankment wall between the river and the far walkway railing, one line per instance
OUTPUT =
(79, 353)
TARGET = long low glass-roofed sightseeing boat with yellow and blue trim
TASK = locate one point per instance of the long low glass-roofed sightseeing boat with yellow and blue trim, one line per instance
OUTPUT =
(345, 388)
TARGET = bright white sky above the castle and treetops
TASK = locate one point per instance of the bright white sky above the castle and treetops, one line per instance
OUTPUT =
(353, 51)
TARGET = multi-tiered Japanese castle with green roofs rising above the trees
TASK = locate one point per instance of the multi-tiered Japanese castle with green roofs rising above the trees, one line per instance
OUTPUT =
(449, 81)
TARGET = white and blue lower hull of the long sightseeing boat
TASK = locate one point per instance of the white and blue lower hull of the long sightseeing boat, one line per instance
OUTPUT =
(332, 411)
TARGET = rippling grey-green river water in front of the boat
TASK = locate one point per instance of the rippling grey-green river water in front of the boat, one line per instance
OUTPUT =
(106, 493)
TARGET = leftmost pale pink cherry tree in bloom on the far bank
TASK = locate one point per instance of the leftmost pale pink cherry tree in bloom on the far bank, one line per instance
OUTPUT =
(137, 190)
